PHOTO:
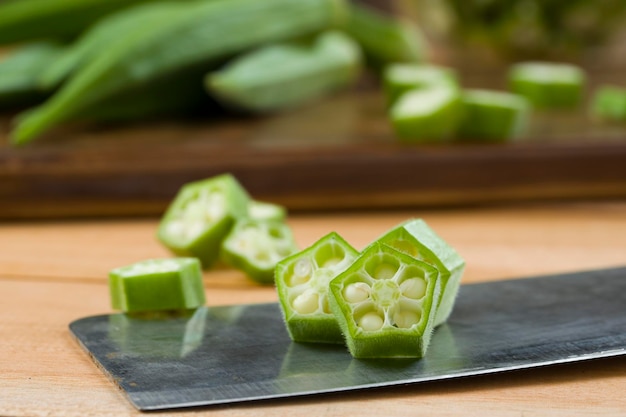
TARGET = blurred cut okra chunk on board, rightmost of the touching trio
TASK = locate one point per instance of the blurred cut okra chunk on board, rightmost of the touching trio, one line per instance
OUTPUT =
(492, 115)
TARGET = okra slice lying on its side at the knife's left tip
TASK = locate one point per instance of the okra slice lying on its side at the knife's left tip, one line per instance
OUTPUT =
(156, 285)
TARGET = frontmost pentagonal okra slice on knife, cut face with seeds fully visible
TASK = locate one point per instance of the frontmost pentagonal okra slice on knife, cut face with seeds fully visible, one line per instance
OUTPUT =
(385, 303)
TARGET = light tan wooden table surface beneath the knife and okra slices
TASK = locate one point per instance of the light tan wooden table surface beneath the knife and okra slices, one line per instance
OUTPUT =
(52, 273)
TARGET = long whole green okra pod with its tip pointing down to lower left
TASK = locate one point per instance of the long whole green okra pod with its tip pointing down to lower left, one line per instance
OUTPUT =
(198, 34)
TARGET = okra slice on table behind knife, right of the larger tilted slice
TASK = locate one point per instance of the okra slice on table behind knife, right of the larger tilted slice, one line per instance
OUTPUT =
(256, 246)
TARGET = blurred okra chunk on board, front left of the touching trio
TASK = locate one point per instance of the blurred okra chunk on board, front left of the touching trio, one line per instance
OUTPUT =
(426, 115)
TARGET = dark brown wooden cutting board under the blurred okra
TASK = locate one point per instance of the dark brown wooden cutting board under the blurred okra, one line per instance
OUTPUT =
(338, 153)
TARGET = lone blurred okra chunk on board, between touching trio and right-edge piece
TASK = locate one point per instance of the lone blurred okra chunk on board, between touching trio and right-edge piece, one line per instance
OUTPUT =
(547, 84)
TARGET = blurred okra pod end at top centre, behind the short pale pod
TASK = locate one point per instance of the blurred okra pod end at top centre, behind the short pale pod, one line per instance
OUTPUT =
(386, 39)
